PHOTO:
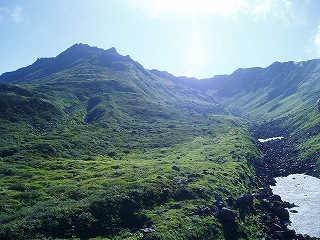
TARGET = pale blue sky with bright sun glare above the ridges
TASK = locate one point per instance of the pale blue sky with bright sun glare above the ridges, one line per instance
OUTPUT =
(194, 38)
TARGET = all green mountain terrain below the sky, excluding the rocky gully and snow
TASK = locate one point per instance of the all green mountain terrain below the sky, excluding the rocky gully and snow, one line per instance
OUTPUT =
(94, 146)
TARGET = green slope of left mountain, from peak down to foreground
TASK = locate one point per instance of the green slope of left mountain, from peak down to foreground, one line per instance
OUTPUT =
(103, 148)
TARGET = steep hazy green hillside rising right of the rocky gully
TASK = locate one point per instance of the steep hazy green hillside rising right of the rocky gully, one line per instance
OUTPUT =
(279, 100)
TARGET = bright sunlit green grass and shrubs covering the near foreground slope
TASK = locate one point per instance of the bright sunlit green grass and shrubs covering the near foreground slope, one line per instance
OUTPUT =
(71, 194)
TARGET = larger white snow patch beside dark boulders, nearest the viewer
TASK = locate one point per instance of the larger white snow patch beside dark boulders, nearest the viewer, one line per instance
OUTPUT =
(304, 191)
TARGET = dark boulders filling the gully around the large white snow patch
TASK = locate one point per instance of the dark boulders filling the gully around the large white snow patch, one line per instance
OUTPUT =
(278, 160)
